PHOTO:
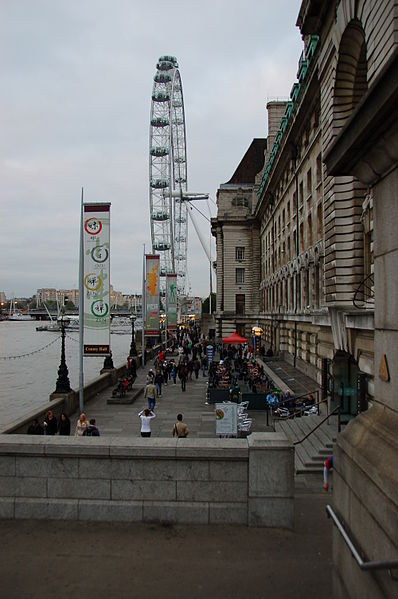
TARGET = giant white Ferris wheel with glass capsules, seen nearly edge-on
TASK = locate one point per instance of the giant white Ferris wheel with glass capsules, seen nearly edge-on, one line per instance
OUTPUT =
(168, 172)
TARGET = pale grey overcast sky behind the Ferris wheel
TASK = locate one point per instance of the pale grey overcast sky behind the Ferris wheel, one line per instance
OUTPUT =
(76, 81)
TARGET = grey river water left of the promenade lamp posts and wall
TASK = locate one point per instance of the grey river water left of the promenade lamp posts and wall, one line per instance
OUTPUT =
(29, 362)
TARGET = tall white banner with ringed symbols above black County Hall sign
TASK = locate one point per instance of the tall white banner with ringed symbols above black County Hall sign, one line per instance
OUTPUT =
(96, 279)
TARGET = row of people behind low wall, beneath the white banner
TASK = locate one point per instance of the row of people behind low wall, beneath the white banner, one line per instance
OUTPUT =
(52, 426)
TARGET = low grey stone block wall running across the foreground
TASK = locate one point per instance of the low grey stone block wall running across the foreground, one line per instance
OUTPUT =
(240, 481)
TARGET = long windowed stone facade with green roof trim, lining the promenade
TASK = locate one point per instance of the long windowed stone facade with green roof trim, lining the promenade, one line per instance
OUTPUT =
(316, 230)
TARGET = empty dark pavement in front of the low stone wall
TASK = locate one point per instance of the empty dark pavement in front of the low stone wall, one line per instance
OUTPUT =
(63, 560)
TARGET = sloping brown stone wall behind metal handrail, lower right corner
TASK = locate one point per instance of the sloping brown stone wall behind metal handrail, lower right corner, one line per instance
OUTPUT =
(365, 499)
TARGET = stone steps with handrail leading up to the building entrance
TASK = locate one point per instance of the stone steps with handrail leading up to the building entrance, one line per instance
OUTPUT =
(311, 453)
